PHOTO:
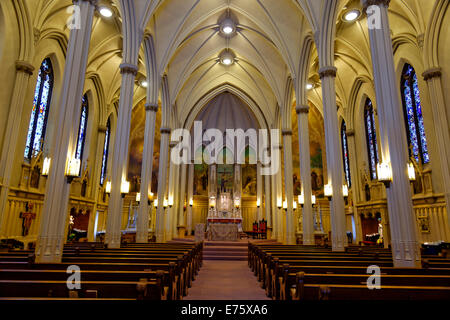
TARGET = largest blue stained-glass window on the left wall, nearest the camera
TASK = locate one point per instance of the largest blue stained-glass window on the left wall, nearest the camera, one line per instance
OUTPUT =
(39, 113)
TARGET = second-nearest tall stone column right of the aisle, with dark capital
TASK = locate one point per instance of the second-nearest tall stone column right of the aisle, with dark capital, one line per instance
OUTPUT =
(334, 158)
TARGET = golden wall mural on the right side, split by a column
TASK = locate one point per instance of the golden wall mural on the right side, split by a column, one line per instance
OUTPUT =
(317, 146)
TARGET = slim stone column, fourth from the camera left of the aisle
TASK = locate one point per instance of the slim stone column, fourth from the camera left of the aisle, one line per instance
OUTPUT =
(162, 182)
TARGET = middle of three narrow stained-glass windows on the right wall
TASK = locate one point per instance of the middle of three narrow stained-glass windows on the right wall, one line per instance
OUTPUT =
(371, 136)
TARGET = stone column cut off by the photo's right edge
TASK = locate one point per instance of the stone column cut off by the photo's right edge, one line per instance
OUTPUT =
(441, 129)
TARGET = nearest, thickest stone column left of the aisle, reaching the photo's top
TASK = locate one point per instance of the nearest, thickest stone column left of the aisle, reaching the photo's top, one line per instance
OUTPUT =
(50, 240)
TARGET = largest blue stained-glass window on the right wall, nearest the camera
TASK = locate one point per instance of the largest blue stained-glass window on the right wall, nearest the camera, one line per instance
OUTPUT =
(413, 115)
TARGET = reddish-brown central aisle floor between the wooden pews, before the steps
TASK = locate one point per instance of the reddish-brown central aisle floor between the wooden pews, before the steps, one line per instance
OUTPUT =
(226, 280)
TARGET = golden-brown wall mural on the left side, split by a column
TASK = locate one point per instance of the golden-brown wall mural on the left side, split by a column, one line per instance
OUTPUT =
(136, 148)
